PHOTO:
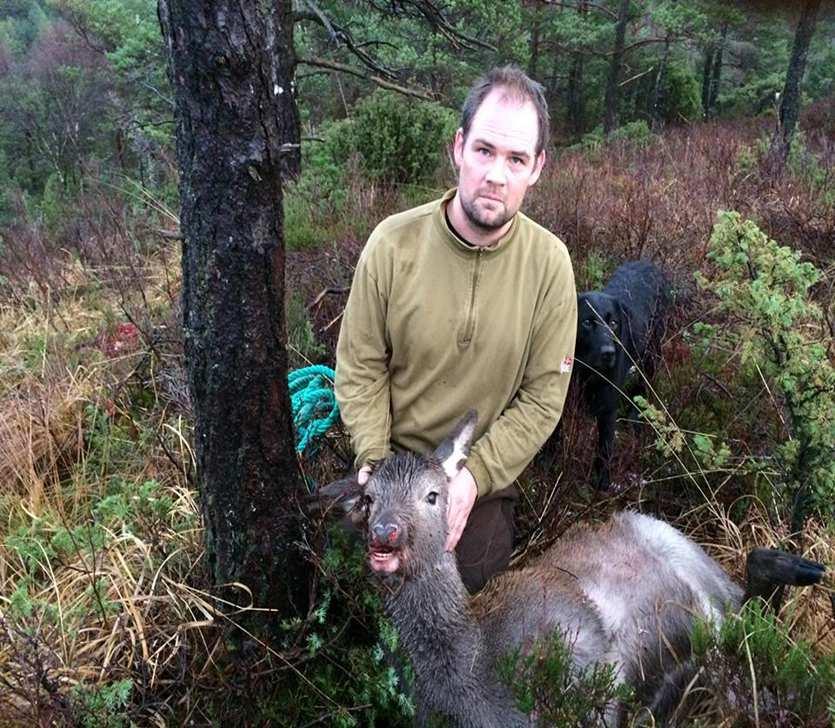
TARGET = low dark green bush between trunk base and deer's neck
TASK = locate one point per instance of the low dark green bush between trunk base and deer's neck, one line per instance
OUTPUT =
(349, 673)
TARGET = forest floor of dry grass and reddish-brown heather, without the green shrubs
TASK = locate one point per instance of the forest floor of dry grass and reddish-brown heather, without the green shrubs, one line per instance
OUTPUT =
(105, 603)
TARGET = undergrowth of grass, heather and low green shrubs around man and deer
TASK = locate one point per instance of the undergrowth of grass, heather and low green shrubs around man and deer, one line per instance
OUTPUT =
(107, 614)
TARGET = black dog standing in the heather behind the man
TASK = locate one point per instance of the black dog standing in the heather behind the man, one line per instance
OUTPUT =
(617, 328)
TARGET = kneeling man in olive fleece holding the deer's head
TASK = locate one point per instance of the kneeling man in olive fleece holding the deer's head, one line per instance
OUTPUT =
(466, 303)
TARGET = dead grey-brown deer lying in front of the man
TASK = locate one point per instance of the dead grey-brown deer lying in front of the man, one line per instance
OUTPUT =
(625, 593)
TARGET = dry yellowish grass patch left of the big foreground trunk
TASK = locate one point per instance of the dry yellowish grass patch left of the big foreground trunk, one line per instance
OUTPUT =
(91, 598)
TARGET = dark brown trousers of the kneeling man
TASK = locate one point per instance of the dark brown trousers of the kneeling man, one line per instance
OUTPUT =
(487, 541)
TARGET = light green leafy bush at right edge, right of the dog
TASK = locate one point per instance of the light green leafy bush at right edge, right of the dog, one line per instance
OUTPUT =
(764, 292)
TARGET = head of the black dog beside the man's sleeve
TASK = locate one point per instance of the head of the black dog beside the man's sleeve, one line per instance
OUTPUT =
(602, 321)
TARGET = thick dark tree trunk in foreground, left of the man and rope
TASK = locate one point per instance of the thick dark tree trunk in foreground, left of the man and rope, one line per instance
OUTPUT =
(233, 97)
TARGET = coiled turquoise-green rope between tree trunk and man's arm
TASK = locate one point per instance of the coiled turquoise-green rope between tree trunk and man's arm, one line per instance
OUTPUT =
(313, 403)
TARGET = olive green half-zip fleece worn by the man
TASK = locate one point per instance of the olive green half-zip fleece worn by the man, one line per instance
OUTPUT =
(434, 327)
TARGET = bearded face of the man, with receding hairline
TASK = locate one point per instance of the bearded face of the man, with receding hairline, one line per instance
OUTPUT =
(497, 162)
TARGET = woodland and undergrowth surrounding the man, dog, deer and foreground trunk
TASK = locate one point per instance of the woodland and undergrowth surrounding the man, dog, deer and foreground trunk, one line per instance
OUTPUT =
(664, 115)
